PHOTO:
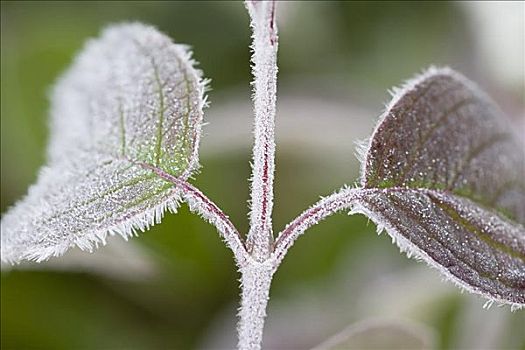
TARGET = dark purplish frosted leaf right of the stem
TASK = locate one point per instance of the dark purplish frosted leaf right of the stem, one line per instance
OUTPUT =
(444, 174)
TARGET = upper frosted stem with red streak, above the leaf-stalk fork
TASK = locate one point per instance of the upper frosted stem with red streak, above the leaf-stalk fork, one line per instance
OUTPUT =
(264, 59)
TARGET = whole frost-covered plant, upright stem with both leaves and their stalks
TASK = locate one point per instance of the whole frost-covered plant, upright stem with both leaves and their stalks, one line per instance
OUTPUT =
(443, 172)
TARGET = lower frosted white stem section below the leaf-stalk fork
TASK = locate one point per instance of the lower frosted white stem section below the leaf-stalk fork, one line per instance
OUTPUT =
(255, 284)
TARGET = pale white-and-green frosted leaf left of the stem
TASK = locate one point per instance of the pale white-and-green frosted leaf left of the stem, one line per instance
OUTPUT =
(132, 97)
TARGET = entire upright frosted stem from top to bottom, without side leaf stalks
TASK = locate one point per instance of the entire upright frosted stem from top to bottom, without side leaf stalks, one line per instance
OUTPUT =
(256, 274)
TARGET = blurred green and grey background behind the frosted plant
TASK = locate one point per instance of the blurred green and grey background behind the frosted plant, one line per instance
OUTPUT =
(340, 272)
